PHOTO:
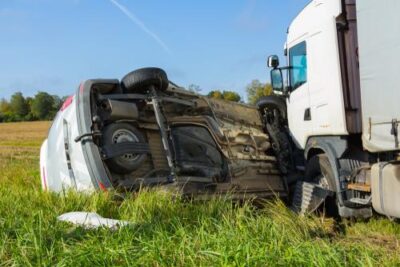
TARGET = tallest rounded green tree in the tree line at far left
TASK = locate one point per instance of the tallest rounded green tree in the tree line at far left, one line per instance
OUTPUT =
(43, 106)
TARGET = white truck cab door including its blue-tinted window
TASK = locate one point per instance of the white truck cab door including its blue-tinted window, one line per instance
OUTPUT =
(298, 103)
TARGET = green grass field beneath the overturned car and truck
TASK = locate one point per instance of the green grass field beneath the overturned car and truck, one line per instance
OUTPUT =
(167, 231)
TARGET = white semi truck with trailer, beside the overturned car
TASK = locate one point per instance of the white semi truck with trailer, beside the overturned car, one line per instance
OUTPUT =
(341, 86)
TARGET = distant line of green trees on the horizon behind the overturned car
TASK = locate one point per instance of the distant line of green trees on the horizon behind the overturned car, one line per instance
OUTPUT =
(44, 106)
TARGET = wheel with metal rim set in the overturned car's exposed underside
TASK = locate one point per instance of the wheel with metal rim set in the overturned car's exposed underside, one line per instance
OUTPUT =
(119, 133)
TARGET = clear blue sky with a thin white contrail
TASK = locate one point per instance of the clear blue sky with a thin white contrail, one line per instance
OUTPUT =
(52, 45)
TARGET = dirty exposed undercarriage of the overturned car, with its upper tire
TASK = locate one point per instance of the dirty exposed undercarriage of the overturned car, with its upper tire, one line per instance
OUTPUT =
(151, 132)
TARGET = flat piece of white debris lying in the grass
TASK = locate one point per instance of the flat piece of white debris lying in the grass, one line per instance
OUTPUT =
(91, 220)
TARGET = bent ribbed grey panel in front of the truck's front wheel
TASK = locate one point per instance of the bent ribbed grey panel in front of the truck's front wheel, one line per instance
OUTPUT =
(308, 197)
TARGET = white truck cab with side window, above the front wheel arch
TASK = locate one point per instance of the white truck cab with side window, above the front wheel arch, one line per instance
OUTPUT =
(315, 91)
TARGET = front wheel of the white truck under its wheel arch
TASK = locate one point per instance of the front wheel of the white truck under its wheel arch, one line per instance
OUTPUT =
(319, 171)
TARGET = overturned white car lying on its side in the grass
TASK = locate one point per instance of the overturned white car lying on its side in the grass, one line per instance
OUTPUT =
(147, 131)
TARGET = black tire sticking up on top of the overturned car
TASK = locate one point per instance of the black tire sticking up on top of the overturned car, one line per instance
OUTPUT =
(138, 81)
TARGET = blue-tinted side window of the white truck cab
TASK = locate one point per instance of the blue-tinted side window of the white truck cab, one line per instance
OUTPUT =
(298, 64)
